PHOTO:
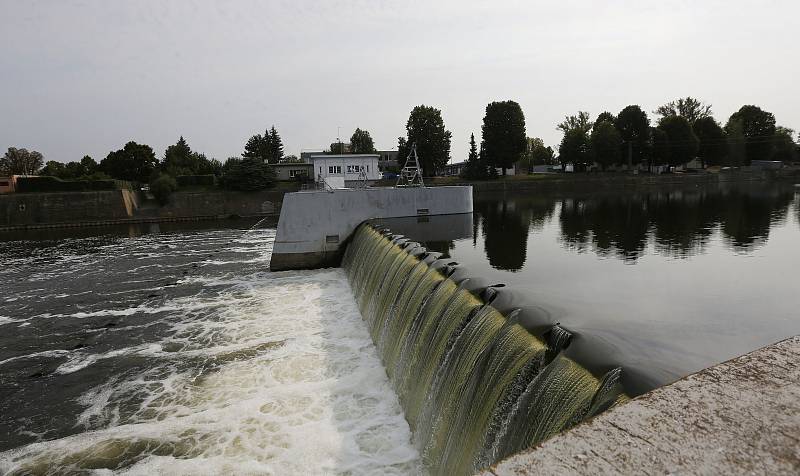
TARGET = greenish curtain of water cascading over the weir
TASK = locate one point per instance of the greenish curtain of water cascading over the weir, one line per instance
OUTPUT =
(475, 385)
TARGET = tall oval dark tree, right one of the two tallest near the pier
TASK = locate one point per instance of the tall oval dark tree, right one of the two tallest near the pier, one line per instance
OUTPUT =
(503, 129)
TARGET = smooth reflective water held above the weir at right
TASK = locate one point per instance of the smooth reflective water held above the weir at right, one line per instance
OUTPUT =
(663, 283)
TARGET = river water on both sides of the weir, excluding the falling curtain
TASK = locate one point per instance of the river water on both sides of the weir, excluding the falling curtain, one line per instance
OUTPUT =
(173, 349)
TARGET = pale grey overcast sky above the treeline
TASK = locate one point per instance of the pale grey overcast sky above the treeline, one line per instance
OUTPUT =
(84, 77)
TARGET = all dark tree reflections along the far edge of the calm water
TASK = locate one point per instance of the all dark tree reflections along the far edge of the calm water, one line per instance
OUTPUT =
(677, 223)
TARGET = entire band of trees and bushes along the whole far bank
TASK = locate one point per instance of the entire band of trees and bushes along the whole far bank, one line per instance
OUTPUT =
(681, 133)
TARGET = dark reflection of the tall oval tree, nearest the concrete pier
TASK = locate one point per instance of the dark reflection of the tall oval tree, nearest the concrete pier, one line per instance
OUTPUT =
(505, 225)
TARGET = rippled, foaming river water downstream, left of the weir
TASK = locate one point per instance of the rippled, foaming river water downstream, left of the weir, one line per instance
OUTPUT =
(150, 350)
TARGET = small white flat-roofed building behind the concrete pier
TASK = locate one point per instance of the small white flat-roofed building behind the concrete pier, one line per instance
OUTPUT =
(343, 170)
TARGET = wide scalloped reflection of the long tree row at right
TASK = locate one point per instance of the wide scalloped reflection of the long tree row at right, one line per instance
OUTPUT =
(678, 223)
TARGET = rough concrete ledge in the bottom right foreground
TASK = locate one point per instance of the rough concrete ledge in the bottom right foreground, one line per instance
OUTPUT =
(738, 417)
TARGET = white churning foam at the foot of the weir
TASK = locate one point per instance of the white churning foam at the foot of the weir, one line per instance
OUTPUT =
(275, 375)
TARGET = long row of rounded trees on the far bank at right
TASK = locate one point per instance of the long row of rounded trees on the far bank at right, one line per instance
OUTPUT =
(684, 130)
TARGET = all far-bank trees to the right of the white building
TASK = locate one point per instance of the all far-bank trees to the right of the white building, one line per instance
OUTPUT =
(685, 129)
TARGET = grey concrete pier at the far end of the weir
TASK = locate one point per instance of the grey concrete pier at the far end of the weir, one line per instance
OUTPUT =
(314, 226)
